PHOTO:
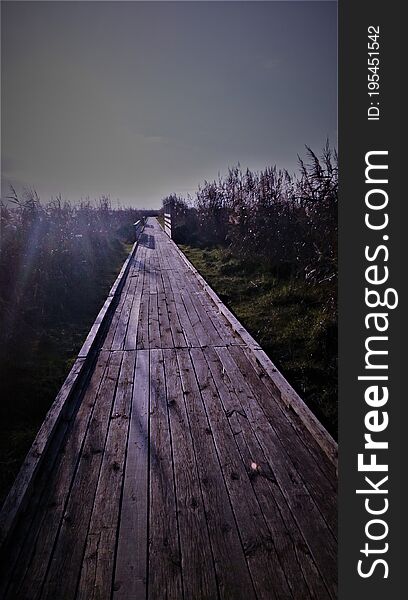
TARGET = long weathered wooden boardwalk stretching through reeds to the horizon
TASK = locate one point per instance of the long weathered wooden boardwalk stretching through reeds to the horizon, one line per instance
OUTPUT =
(180, 470)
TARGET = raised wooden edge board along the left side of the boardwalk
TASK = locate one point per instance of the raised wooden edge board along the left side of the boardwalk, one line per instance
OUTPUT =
(19, 494)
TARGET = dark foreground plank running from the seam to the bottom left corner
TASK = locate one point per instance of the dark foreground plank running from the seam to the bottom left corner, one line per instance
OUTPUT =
(31, 568)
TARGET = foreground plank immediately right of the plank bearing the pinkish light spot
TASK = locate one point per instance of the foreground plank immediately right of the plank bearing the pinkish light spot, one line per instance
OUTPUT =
(307, 515)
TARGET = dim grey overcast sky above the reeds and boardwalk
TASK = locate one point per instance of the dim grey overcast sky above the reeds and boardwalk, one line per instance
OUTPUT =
(142, 99)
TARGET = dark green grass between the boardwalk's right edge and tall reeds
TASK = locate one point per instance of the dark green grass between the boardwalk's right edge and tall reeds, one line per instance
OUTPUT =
(291, 319)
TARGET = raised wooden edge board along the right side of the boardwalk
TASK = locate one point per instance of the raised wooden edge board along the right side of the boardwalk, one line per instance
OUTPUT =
(289, 396)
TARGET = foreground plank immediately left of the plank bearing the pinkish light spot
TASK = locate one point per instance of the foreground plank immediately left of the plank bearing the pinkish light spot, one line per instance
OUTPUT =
(263, 561)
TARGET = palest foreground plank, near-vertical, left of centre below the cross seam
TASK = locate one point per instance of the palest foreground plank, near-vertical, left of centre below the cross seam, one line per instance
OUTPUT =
(131, 558)
